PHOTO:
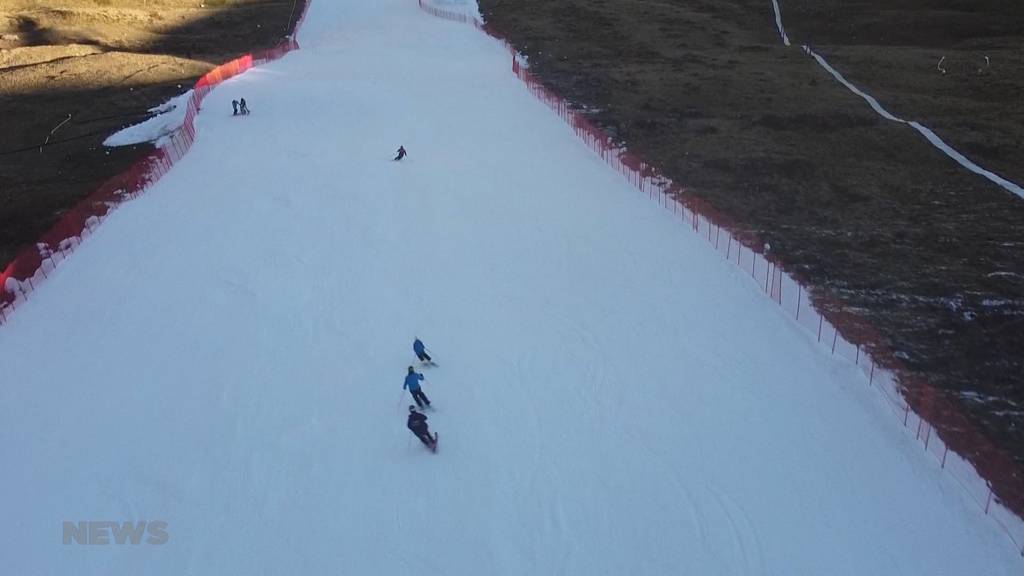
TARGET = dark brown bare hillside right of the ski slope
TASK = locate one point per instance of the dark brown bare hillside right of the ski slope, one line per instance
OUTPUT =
(927, 254)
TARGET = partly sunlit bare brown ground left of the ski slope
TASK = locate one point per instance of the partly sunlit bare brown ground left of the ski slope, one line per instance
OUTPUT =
(105, 64)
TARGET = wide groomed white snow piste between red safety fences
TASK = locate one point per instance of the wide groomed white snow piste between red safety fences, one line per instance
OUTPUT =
(227, 355)
